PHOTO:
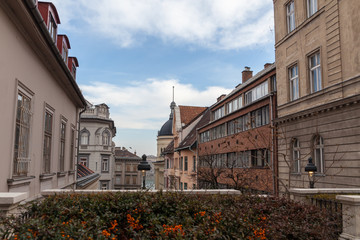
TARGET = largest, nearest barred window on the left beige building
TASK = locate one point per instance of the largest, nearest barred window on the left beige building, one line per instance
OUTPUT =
(22, 135)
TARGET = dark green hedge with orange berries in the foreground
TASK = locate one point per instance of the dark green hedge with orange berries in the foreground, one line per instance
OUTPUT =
(169, 216)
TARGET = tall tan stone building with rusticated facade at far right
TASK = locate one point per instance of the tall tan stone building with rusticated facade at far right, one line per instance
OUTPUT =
(318, 77)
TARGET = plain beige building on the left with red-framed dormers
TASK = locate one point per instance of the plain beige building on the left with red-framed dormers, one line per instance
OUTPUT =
(40, 101)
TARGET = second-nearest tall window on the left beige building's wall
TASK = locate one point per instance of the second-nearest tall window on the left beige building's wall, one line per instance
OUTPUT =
(47, 141)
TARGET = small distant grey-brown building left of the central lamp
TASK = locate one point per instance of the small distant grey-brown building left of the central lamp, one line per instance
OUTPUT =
(126, 172)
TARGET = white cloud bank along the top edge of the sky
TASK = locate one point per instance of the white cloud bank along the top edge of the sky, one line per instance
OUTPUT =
(214, 24)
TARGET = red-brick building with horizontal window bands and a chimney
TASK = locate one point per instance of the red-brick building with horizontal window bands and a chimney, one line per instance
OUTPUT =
(236, 148)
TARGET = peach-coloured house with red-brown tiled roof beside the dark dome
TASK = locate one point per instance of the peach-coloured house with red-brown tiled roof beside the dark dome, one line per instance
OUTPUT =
(180, 154)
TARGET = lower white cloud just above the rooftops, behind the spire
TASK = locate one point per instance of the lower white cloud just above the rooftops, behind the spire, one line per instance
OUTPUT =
(146, 105)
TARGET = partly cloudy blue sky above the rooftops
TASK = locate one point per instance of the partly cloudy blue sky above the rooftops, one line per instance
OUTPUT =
(132, 52)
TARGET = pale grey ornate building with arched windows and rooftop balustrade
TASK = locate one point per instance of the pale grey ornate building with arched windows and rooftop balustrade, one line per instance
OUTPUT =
(96, 150)
